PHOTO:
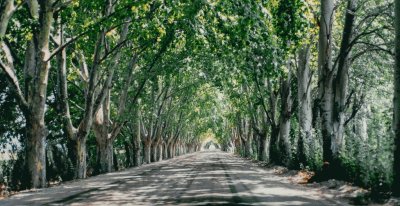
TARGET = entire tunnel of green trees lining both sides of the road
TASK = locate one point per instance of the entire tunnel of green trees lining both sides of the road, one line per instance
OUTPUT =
(301, 83)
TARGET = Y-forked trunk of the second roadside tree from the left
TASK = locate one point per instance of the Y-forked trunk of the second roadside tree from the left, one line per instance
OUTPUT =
(78, 136)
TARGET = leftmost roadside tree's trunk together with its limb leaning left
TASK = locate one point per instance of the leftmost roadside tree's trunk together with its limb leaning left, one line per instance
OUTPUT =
(36, 69)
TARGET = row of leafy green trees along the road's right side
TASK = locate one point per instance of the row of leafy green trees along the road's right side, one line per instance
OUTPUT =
(316, 91)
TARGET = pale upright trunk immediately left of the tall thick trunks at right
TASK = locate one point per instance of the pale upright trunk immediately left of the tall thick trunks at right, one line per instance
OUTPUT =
(305, 140)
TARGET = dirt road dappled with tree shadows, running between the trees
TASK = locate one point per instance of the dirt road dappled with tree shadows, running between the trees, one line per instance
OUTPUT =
(202, 178)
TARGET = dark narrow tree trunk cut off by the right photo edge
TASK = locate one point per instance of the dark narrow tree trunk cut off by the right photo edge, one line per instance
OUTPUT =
(396, 103)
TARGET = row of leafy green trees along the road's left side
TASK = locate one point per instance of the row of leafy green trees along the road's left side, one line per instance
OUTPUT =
(82, 71)
